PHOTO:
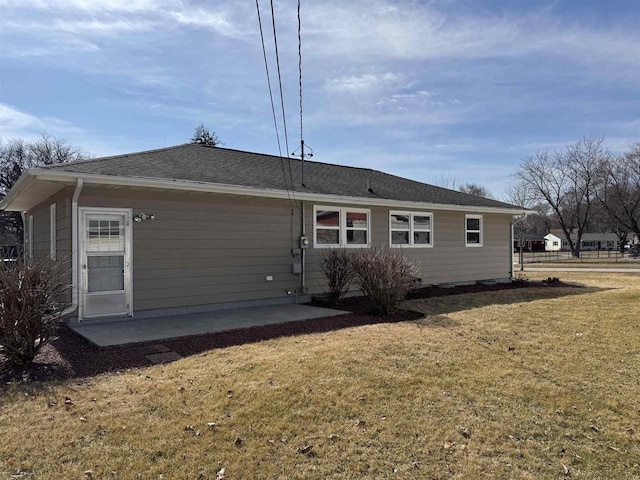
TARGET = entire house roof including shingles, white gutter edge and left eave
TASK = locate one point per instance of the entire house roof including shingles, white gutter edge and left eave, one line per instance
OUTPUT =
(202, 168)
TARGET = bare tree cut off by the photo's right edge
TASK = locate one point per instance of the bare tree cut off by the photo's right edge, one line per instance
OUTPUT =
(620, 192)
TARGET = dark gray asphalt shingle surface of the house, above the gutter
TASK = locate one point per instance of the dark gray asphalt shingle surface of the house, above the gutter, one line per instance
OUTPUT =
(214, 165)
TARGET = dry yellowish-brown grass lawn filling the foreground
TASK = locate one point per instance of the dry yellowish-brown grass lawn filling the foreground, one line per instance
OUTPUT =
(530, 383)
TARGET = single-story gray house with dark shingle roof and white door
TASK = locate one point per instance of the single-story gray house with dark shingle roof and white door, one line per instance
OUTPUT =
(191, 228)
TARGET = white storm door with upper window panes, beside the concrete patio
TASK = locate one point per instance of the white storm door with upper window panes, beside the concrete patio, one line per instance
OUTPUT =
(105, 262)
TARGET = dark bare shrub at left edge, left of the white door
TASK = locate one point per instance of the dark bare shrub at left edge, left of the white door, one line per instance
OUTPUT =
(30, 305)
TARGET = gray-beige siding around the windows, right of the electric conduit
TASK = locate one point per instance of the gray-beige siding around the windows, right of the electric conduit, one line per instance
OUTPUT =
(449, 260)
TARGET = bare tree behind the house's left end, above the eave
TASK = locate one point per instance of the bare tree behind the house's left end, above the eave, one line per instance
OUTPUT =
(18, 155)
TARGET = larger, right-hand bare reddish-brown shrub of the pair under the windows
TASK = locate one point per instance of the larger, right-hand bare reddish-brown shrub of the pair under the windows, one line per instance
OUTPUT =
(385, 275)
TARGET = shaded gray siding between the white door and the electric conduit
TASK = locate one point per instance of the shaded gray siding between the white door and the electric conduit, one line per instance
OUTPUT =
(205, 249)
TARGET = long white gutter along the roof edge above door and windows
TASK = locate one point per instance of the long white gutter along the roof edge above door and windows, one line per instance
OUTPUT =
(260, 192)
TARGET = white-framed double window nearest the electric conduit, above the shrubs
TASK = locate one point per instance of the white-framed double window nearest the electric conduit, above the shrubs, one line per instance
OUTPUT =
(340, 227)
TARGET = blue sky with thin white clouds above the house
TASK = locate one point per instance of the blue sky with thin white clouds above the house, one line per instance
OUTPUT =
(437, 91)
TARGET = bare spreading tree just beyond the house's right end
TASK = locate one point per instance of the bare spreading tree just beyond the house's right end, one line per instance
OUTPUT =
(568, 181)
